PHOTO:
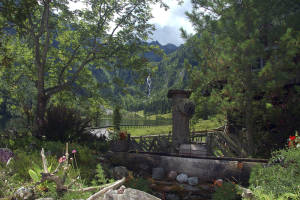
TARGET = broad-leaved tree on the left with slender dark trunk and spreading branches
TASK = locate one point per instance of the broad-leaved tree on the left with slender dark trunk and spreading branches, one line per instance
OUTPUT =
(62, 45)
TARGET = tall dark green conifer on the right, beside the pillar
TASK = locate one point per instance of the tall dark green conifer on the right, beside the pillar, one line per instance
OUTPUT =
(242, 45)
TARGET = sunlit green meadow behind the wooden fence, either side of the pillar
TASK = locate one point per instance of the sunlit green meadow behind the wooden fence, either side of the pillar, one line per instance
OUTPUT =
(213, 122)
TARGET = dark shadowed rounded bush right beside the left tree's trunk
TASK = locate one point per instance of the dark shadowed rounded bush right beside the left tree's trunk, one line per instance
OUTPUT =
(64, 124)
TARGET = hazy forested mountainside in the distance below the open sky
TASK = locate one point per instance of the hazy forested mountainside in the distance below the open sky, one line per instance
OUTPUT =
(130, 90)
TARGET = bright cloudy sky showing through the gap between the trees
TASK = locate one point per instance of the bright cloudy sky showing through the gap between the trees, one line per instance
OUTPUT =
(167, 23)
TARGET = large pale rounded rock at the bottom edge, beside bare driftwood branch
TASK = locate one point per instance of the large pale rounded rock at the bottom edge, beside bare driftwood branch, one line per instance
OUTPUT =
(128, 194)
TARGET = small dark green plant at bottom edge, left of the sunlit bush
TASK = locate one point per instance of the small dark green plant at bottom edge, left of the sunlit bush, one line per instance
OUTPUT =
(227, 191)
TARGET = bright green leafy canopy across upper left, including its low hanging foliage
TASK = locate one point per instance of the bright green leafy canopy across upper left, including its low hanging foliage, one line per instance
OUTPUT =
(55, 54)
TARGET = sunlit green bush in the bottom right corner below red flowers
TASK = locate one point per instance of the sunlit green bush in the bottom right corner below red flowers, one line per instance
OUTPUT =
(280, 179)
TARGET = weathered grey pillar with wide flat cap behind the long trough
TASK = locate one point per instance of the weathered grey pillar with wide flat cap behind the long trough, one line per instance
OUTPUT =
(182, 110)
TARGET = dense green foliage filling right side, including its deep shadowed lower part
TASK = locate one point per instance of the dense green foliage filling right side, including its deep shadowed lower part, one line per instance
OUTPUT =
(247, 62)
